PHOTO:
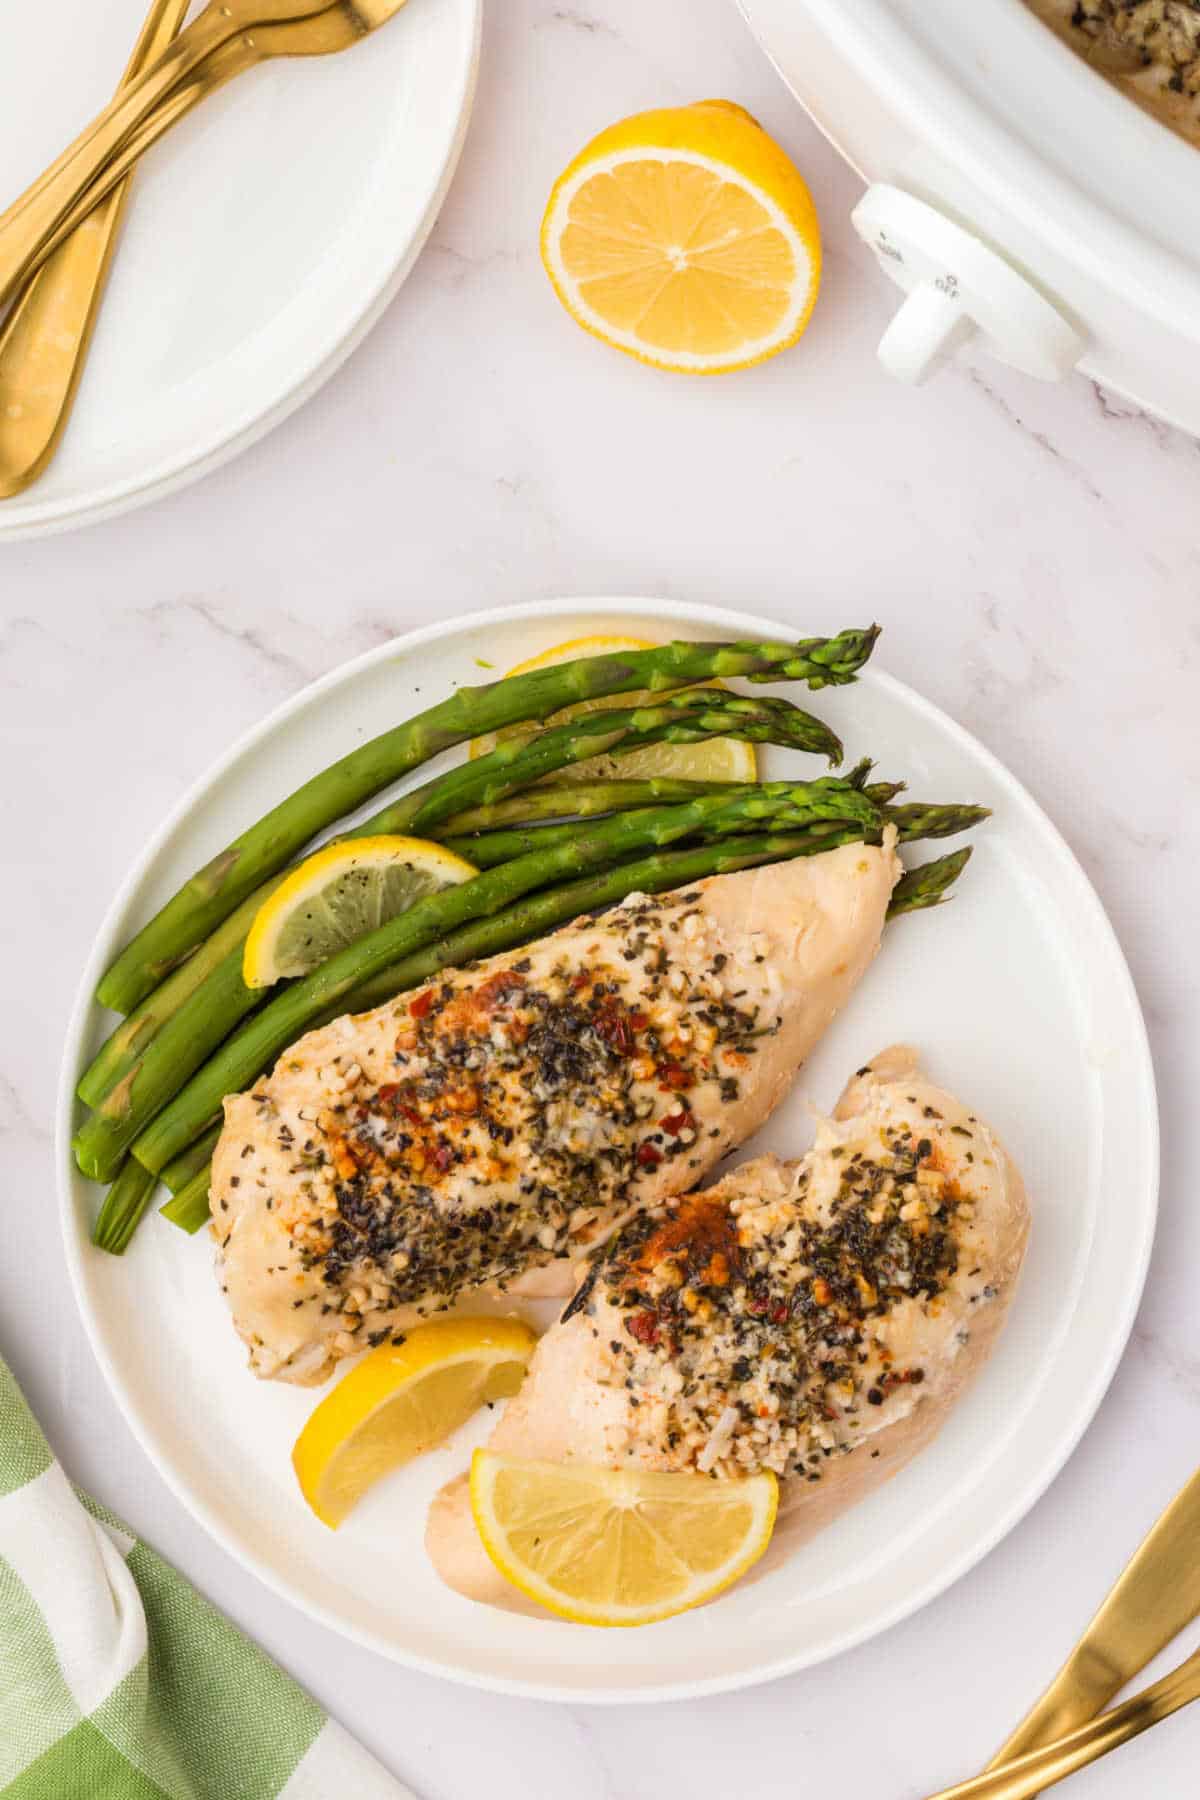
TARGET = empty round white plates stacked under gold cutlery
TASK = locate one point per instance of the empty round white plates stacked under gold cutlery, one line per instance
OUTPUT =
(264, 237)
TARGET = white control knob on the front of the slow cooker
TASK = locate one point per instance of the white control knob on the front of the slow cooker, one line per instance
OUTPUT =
(958, 289)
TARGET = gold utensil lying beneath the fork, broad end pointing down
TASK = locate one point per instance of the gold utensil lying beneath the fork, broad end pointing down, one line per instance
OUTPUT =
(46, 337)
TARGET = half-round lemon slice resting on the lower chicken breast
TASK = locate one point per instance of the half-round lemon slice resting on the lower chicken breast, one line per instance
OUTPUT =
(618, 1547)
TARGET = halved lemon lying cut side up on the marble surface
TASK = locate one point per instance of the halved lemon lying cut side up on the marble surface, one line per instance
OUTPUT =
(686, 238)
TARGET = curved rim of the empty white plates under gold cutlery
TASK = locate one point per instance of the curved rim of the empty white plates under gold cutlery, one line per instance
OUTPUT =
(184, 469)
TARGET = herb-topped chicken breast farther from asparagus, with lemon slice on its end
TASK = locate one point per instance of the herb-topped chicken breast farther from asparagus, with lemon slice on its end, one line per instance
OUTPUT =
(814, 1318)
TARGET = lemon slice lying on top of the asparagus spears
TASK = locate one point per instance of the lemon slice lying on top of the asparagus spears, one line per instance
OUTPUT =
(339, 895)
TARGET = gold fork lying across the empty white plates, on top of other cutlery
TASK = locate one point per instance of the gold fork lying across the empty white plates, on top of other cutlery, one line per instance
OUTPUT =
(220, 44)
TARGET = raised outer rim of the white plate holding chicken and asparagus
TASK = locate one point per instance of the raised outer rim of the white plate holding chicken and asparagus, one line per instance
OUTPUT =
(76, 1243)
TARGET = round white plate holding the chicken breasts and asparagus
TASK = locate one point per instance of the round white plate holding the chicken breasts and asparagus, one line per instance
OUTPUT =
(1021, 1000)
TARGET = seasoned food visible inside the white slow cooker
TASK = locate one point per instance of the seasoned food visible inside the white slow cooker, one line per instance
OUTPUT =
(1149, 48)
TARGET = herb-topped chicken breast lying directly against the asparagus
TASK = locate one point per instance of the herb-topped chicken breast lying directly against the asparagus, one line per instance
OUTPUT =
(481, 1133)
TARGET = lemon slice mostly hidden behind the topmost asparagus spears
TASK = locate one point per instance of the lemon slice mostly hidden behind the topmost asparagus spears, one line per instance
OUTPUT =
(713, 760)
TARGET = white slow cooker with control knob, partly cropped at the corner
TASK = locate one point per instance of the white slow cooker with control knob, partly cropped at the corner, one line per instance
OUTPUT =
(1014, 195)
